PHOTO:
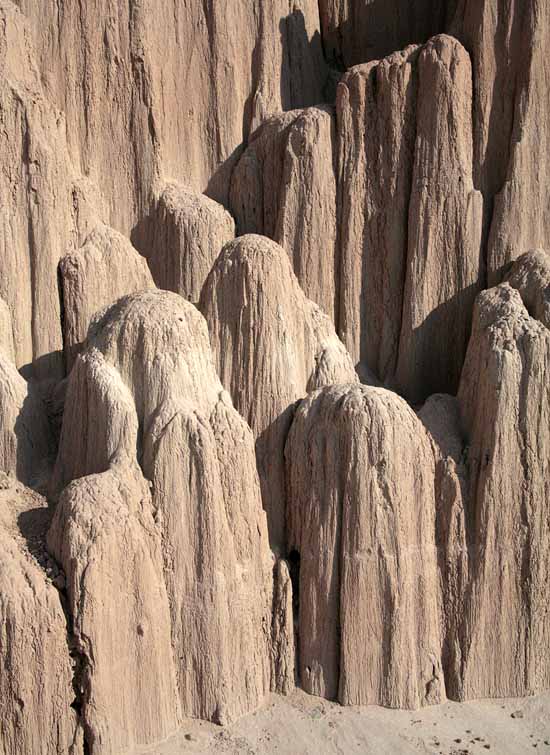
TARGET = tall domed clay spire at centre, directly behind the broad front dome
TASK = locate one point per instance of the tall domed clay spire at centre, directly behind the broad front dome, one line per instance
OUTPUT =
(272, 345)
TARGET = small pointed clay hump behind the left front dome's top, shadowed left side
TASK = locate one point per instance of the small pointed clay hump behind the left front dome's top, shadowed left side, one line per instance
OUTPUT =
(102, 270)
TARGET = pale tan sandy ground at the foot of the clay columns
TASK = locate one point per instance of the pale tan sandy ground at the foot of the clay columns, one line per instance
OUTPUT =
(301, 724)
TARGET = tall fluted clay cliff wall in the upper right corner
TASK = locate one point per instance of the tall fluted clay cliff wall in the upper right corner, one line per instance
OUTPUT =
(508, 43)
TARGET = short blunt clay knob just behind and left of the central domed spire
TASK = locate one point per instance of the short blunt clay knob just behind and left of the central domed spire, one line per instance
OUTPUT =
(187, 232)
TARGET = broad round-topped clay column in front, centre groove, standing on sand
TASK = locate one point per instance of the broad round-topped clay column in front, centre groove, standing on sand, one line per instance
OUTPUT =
(362, 519)
